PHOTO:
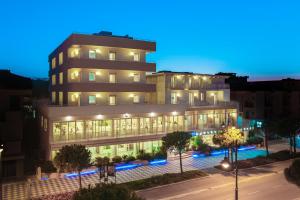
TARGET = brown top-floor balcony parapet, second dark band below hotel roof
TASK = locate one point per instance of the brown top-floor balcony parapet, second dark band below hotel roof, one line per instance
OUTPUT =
(107, 64)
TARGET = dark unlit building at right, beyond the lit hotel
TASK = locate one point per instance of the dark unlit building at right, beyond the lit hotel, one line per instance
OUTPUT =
(260, 100)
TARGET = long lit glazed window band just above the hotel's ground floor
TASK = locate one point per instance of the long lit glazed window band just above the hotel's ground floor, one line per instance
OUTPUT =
(67, 131)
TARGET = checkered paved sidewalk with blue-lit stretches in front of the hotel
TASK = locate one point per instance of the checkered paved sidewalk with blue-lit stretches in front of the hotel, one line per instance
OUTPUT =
(56, 186)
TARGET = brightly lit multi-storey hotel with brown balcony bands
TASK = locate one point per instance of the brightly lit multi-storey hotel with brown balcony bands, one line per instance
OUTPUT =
(106, 96)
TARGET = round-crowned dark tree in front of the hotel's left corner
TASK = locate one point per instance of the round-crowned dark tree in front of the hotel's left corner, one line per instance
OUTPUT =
(73, 158)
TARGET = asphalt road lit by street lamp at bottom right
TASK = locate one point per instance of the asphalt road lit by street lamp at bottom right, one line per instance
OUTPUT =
(263, 183)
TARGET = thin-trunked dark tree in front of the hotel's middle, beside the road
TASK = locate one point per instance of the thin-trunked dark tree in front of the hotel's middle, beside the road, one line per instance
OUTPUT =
(178, 140)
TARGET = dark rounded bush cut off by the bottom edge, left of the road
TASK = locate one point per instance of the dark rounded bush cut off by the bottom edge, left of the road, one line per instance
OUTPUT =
(106, 191)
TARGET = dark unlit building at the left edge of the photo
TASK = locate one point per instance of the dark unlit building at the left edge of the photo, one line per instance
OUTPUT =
(15, 101)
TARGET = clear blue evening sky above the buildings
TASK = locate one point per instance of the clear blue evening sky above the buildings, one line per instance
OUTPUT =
(260, 38)
